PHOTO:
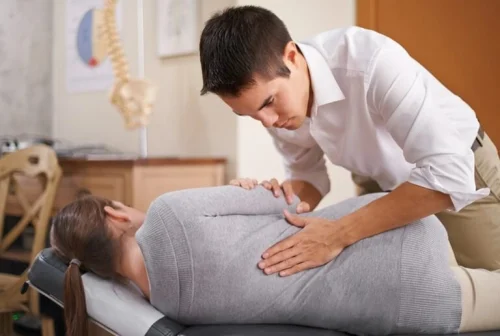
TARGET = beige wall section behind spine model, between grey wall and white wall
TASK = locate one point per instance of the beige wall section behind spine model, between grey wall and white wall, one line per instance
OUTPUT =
(182, 124)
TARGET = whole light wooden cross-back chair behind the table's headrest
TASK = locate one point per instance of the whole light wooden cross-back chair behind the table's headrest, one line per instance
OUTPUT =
(40, 162)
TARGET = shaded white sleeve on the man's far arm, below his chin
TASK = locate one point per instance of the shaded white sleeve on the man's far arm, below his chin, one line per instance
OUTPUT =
(305, 163)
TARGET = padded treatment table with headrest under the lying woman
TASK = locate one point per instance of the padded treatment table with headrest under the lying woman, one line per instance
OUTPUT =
(121, 309)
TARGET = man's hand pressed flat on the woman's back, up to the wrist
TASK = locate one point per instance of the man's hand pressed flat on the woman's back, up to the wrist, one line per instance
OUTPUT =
(319, 242)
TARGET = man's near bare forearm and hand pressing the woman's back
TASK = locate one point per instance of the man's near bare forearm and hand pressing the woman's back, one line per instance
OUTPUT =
(321, 240)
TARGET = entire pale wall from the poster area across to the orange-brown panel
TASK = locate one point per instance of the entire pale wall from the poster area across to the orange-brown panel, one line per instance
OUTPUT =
(183, 123)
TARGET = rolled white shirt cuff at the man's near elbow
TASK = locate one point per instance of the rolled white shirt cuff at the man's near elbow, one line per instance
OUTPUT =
(452, 178)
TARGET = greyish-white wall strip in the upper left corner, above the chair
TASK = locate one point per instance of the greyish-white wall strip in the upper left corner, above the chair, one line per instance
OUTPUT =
(25, 91)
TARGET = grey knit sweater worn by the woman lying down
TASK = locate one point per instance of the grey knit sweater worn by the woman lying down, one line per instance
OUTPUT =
(202, 246)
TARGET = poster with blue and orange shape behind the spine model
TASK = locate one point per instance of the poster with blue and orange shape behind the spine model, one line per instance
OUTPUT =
(88, 67)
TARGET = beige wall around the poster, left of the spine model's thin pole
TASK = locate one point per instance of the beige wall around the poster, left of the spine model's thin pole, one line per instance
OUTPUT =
(88, 117)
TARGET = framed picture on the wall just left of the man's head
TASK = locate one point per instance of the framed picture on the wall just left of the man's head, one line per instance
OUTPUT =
(177, 27)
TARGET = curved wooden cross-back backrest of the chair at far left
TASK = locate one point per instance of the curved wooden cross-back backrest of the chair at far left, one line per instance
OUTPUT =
(38, 161)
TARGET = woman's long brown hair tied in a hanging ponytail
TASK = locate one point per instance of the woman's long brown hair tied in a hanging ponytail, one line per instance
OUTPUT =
(80, 236)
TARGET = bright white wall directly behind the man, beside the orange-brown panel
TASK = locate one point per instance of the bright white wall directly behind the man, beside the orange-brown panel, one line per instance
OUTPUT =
(256, 155)
